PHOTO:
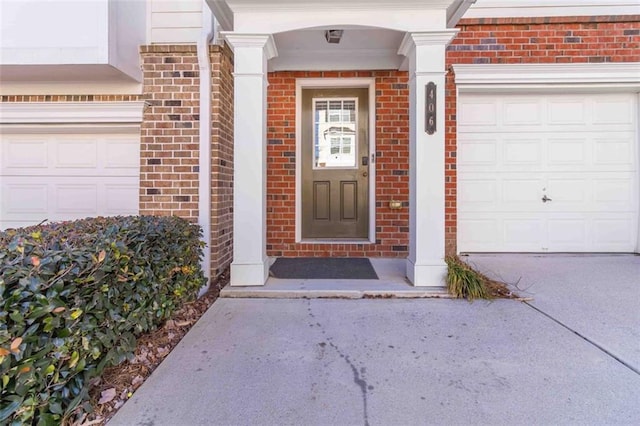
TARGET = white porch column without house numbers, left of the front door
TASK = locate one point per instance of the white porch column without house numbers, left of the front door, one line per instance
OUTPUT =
(250, 265)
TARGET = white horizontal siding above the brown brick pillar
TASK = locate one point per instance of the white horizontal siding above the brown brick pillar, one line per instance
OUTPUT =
(175, 21)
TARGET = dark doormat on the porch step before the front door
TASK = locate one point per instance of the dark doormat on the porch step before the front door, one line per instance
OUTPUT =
(337, 268)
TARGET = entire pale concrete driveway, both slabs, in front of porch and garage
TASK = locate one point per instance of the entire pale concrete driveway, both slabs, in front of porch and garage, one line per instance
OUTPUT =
(568, 357)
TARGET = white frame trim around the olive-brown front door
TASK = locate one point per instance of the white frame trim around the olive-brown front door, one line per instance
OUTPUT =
(323, 83)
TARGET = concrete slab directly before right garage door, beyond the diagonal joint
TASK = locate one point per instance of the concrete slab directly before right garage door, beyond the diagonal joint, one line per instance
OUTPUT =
(595, 296)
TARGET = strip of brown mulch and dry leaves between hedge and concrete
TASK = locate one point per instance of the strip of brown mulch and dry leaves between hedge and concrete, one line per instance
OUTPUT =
(117, 384)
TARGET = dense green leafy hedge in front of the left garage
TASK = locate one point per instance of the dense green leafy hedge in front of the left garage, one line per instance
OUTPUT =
(73, 298)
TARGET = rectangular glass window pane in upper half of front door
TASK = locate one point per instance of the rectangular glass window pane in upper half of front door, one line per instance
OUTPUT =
(334, 133)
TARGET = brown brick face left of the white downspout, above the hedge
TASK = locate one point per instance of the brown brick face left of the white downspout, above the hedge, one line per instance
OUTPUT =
(169, 131)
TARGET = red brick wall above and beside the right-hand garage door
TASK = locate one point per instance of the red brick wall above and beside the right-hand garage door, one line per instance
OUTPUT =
(526, 40)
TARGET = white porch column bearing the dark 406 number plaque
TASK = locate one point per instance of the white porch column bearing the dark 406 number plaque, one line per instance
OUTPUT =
(425, 52)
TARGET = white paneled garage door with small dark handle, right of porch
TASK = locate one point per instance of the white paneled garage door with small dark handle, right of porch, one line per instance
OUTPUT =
(556, 173)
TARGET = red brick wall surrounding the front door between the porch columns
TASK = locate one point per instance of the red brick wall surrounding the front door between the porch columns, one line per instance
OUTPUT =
(392, 162)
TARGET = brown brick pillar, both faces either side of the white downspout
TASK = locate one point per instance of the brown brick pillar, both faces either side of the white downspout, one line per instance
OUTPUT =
(169, 149)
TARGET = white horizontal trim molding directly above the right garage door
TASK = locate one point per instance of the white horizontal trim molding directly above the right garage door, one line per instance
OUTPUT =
(482, 76)
